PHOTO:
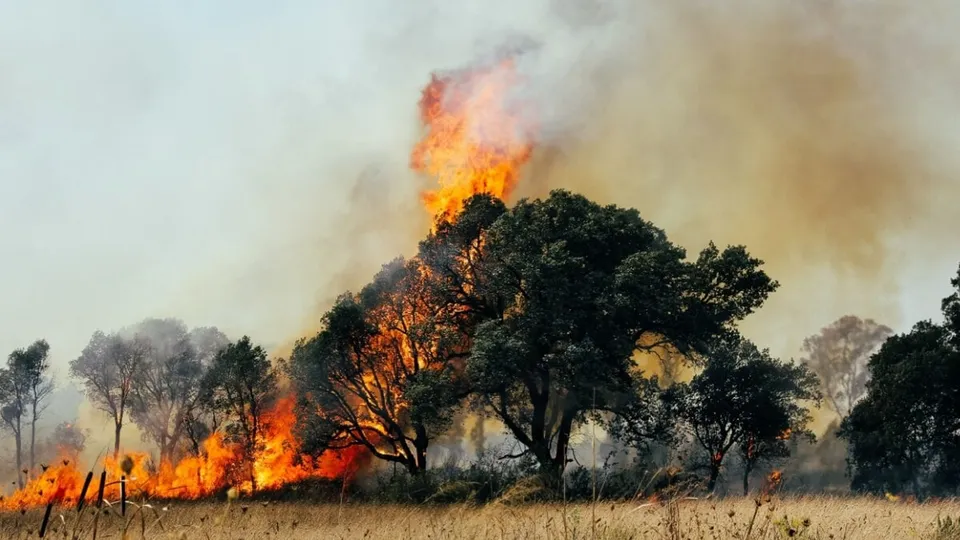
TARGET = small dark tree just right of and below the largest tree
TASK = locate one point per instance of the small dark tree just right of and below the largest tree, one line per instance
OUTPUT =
(744, 398)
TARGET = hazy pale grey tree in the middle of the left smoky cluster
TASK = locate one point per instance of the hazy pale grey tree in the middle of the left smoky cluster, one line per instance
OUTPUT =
(166, 388)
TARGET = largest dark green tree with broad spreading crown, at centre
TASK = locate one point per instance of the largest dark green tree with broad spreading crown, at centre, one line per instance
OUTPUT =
(564, 294)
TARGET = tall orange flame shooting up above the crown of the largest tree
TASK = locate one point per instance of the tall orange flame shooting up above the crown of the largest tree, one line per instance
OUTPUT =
(477, 140)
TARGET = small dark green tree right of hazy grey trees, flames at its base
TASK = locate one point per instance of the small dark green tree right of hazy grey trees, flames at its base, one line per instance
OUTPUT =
(241, 384)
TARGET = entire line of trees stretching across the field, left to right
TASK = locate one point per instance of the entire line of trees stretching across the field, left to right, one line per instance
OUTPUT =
(541, 317)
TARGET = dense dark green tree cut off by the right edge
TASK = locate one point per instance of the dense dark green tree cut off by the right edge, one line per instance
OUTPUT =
(904, 435)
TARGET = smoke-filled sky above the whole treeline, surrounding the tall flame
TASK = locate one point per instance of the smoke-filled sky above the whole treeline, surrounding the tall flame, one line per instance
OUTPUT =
(239, 165)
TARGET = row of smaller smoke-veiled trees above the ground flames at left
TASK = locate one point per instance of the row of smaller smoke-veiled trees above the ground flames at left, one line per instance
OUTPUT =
(177, 385)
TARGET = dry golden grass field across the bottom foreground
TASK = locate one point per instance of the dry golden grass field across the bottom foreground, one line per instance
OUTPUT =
(813, 517)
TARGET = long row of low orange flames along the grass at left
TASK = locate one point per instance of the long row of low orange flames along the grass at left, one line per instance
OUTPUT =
(278, 462)
